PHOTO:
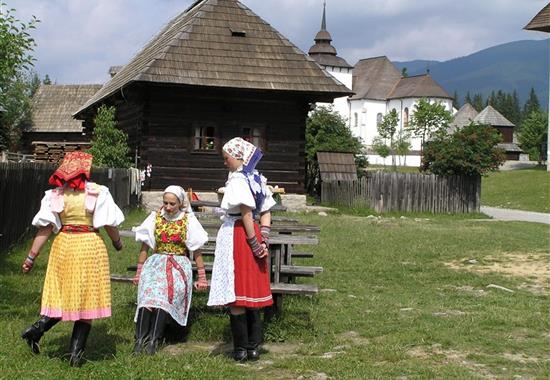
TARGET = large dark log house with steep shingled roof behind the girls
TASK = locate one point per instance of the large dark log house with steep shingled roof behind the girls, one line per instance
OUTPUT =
(216, 71)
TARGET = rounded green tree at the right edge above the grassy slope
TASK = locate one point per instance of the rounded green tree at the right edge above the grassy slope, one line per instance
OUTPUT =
(534, 135)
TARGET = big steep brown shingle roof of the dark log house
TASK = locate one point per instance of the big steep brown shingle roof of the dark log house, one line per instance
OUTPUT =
(222, 43)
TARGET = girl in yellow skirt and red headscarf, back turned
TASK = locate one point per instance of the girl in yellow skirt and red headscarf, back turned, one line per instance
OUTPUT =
(77, 285)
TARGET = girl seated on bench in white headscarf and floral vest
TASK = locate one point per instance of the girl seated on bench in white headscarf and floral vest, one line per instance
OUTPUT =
(166, 278)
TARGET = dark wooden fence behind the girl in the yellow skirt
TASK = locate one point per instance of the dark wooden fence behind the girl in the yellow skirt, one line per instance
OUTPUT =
(22, 187)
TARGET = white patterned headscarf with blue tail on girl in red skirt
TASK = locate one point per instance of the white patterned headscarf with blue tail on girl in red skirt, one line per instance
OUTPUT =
(250, 155)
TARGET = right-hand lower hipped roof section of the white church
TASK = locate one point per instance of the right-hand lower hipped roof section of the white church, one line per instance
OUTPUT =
(418, 86)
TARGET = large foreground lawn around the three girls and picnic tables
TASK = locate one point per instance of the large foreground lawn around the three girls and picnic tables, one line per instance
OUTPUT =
(400, 298)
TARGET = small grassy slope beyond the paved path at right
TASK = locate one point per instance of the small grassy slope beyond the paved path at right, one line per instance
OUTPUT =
(527, 189)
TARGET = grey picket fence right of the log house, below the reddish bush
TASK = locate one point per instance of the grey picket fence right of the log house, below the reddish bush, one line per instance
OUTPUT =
(406, 192)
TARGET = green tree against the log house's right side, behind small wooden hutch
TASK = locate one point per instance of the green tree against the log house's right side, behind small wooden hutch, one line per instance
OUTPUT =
(326, 130)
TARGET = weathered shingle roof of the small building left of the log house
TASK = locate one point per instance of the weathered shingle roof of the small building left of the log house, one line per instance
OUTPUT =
(53, 106)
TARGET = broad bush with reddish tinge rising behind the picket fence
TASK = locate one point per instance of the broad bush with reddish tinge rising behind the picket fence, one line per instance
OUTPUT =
(470, 151)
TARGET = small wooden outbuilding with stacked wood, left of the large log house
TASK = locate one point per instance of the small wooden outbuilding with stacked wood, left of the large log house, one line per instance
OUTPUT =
(53, 130)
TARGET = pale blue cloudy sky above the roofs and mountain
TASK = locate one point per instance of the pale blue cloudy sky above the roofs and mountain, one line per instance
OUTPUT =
(78, 40)
